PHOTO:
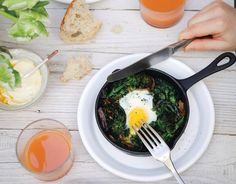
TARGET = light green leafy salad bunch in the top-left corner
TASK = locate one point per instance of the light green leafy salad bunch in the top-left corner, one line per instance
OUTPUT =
(28, 17)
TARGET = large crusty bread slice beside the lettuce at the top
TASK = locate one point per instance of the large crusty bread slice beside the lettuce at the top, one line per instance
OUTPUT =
(78, 24)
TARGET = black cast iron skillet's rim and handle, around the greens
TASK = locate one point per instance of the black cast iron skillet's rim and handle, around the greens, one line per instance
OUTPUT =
(182, 85)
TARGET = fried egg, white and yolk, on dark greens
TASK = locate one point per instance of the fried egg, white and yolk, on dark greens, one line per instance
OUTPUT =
(138, 107)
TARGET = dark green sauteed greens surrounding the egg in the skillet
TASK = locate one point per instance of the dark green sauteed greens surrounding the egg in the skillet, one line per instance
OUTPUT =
(167, 104)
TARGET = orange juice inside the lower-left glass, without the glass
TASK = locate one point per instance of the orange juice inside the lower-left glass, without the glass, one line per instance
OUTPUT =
(46, 151)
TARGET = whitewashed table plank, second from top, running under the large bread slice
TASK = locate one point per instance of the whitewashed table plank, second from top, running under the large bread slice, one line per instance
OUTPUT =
(136, 36)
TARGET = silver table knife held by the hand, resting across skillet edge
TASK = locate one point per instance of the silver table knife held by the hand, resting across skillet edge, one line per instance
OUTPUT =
(148, 61)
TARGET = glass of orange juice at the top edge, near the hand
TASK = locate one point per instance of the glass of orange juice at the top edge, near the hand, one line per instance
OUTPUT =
(162, 13)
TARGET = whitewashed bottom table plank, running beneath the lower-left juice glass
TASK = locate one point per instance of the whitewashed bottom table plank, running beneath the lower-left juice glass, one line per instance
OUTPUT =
(216, 166)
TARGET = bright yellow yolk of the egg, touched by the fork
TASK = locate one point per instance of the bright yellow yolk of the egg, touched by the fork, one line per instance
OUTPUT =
(137, 117)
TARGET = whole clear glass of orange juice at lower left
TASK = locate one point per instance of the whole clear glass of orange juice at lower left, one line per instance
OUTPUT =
(44, 148)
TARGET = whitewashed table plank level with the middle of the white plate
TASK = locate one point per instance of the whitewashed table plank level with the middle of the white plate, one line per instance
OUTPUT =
(59, 103)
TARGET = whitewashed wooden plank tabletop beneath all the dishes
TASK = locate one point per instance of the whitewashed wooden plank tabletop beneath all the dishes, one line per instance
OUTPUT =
(217, 165)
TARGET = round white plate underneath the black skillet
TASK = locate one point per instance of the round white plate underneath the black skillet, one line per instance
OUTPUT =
(189, 148)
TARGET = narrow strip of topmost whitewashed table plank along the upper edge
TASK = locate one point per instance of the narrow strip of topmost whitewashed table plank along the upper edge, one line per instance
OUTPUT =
(134, 4)
